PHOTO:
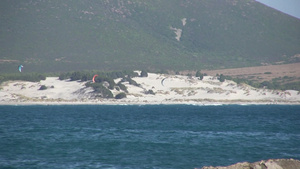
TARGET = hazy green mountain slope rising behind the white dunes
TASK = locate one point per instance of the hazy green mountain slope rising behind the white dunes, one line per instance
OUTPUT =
(45, 35)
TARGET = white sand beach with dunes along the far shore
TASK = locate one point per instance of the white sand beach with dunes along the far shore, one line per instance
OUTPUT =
(174, 89)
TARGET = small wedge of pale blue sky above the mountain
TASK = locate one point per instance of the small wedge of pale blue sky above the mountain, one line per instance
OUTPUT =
(291, 7)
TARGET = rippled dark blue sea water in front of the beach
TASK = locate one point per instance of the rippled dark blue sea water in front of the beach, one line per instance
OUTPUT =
(148, 136)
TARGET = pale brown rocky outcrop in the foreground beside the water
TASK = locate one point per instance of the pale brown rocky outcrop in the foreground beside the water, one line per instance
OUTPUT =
(269, 164)
